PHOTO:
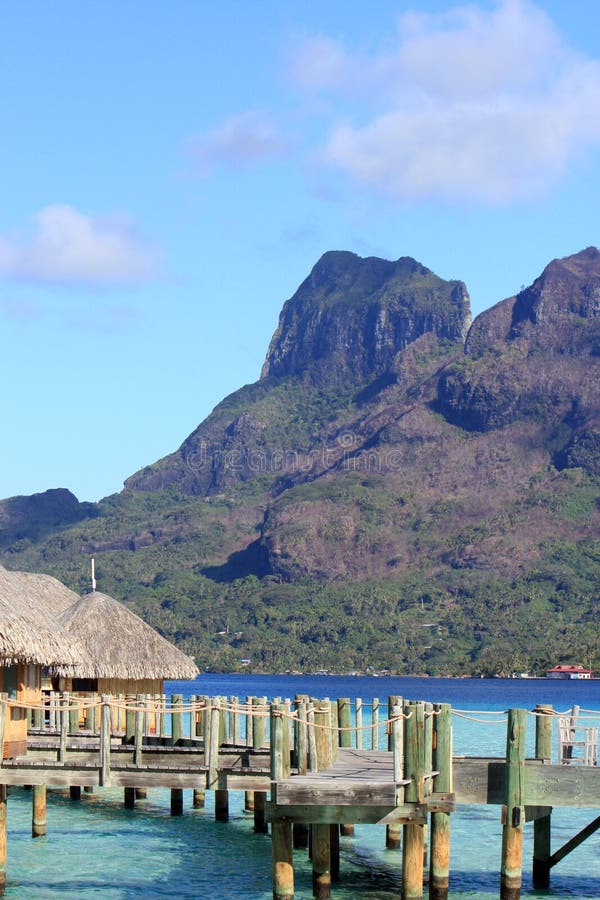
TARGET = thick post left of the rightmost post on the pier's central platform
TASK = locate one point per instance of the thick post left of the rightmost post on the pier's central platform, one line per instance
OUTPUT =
(414, 770)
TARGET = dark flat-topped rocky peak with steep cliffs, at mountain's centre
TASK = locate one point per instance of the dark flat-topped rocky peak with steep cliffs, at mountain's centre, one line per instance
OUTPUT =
(352, 315)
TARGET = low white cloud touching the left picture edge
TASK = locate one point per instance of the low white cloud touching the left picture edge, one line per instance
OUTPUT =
(64, 246)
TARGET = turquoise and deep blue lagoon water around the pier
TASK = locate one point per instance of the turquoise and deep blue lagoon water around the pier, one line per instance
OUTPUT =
(96, 848)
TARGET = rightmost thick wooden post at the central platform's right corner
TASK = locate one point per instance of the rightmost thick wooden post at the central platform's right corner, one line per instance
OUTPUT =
(439, 867)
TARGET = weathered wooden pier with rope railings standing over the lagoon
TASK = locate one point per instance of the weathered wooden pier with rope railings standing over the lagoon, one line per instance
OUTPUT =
(310, 757)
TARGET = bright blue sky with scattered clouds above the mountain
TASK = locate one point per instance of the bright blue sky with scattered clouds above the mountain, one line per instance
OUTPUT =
(172, 172)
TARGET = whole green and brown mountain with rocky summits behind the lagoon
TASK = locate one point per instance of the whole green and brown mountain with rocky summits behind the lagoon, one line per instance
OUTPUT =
(400, 489)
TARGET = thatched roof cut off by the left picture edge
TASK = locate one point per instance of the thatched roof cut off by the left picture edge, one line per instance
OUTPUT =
(27, 633)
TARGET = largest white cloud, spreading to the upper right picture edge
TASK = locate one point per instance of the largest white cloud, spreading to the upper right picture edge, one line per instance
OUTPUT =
(490, 105)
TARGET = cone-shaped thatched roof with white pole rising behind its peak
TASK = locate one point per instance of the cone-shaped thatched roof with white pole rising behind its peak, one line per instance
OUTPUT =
(118, 644)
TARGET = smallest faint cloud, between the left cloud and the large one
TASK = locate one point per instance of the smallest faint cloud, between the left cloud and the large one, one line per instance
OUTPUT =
(240, 140)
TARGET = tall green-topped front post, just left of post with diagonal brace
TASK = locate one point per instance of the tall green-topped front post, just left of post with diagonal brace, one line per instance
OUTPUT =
(513, 813)
